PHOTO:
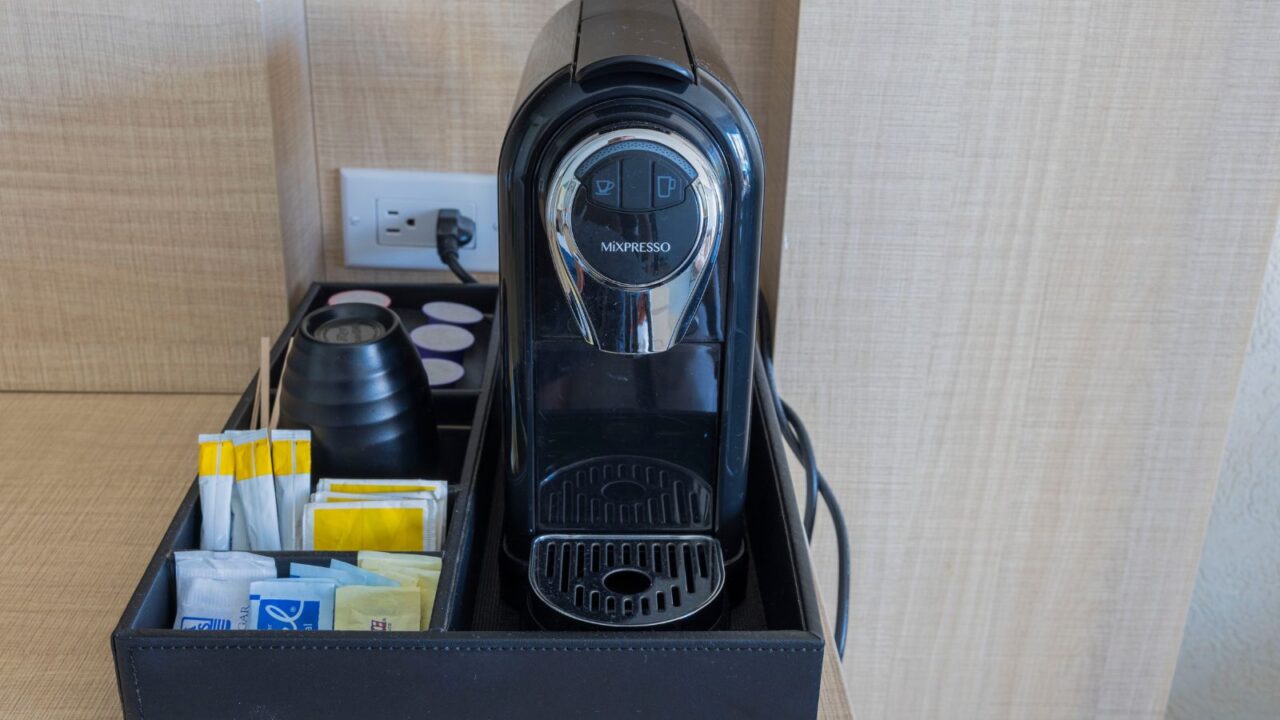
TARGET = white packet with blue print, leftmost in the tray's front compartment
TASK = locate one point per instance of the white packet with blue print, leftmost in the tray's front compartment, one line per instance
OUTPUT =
(213, 589)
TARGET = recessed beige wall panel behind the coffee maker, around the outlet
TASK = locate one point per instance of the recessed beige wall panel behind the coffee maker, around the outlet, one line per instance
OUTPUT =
(431, 86)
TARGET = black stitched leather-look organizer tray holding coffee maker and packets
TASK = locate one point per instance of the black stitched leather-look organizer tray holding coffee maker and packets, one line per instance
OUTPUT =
(481, 659)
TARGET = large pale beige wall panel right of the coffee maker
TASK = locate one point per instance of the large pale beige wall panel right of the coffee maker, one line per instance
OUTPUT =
(1026, 244)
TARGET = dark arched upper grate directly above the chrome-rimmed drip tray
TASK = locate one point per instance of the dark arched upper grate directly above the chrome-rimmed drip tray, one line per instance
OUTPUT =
(624, 494)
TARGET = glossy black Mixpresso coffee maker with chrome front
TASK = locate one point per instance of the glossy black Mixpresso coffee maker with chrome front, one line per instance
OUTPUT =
(630, 198)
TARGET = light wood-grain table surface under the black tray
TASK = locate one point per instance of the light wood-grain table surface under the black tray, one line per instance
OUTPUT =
(88, 485)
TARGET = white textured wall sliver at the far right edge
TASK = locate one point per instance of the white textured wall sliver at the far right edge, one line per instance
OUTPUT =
(1229, 666)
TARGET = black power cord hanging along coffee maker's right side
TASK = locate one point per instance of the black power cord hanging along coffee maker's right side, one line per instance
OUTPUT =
(816, 485)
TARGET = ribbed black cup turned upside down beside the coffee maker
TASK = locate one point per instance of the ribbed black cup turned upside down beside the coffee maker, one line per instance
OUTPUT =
(355, 380)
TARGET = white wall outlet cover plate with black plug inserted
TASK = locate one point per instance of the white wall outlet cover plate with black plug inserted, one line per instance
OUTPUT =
(473, 194)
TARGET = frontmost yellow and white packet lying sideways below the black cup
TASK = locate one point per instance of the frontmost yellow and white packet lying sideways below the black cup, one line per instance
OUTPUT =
(378, 525)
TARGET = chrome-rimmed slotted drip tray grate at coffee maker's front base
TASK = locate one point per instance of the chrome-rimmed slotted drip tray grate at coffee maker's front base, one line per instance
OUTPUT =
(627, 581)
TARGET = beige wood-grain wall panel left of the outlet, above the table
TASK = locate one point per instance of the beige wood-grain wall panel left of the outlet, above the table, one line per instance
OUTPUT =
(140, 239)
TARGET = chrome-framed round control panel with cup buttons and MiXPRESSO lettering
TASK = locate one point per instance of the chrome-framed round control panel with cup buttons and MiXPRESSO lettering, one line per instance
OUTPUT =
(634, 218)
